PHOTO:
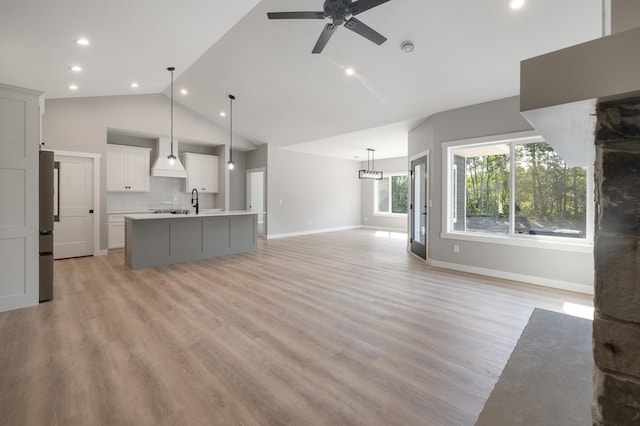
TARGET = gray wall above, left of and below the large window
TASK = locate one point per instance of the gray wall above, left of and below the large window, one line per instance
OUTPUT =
(545, 265)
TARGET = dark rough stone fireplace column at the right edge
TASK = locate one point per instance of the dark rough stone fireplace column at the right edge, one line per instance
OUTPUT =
(616, 325)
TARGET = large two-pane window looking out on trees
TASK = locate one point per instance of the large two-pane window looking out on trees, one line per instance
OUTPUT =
(519, 188)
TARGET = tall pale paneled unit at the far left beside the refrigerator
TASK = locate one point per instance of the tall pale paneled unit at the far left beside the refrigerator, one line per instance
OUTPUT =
(19, 138)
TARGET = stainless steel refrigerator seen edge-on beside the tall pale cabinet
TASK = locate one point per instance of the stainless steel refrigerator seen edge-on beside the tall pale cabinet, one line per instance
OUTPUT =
(47, 202)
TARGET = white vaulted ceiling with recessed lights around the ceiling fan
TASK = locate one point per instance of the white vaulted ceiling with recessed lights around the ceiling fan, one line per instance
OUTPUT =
(467, 51)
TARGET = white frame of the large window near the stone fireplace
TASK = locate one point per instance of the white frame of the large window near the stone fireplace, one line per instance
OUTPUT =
(512, 238)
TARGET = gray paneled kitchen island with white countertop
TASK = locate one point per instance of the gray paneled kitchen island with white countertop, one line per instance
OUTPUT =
(165, 238)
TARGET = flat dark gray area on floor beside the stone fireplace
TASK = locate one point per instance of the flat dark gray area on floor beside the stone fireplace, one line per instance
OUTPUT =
(548, 378)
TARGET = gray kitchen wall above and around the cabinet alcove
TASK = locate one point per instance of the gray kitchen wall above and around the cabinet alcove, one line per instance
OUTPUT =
(80, 124)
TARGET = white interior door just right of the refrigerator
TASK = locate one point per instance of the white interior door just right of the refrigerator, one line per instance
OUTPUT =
(73, 233)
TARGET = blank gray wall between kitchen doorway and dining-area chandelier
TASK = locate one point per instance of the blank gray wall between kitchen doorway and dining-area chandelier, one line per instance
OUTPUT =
(307, 193)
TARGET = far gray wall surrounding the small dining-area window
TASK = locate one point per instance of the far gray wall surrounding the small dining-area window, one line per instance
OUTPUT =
(399, 223)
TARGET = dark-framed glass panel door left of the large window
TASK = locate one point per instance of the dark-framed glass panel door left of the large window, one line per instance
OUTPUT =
(419, 207)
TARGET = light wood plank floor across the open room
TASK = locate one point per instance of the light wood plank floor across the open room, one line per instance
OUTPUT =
(341, 328)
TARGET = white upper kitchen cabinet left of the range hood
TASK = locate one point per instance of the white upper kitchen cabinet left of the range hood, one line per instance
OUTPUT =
(127, 169)
